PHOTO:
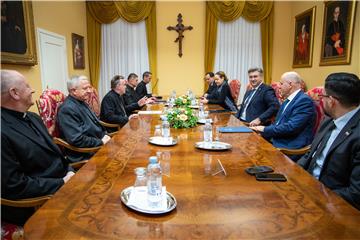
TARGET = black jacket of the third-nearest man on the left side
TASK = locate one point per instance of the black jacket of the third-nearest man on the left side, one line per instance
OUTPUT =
(113, 109)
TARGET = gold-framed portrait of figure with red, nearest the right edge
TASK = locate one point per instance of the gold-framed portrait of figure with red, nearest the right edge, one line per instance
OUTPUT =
(338, 28)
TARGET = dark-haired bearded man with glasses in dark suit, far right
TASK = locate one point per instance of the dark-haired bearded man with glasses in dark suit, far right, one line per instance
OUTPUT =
(334, 157)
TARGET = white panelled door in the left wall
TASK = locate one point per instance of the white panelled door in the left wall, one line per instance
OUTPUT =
(53, 60)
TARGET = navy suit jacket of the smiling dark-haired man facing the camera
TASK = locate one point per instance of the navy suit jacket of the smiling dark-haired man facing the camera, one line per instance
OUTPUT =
(263, 105)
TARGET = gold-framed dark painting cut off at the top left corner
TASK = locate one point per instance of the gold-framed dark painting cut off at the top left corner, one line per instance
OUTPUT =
(17, 33)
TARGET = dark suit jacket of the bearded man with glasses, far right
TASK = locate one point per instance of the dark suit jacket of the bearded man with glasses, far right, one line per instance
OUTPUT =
(341, 167)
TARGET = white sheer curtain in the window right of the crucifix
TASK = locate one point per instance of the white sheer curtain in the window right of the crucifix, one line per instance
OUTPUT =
(238, 48)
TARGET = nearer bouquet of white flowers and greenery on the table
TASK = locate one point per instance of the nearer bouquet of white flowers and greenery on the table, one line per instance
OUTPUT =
(182, 118)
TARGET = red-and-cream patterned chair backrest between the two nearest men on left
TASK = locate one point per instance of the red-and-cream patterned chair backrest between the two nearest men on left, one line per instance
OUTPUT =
(48, 105)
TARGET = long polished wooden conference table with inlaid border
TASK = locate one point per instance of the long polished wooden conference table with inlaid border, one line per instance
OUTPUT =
(209, 206)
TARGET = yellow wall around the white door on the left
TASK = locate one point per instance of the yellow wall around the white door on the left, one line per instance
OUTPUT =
(62, 18)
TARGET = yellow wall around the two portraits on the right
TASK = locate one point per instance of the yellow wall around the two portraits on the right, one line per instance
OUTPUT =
(285, 13)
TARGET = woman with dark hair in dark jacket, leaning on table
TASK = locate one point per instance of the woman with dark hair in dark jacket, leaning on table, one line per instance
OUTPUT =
(222, 95)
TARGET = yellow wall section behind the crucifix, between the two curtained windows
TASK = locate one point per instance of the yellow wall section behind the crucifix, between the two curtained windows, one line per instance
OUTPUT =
(185, 72)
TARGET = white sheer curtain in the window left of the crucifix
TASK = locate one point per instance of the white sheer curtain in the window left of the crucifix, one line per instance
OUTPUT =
(123, 51)
